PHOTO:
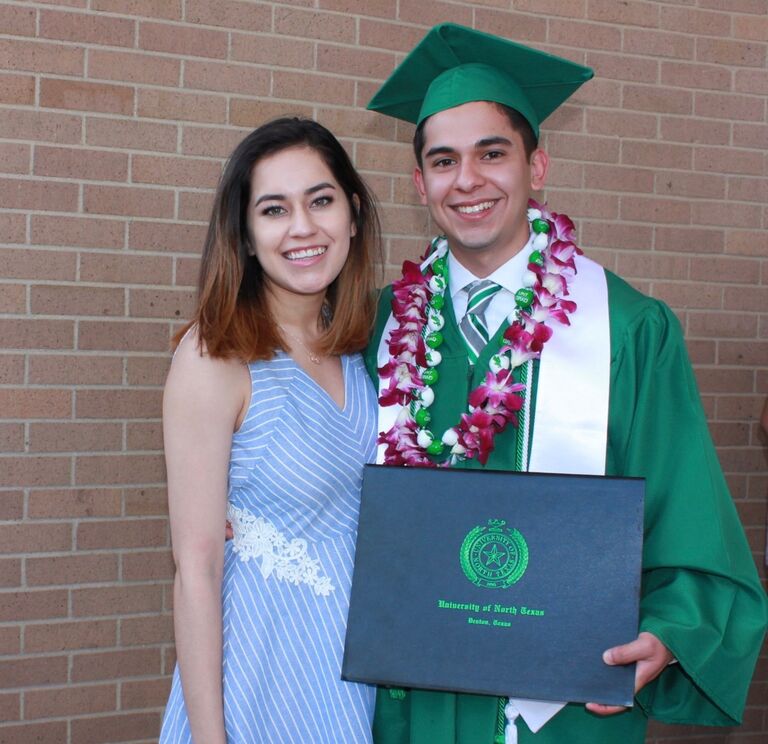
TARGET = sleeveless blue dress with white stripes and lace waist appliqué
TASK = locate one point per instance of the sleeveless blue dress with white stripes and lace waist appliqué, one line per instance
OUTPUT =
(294, 493)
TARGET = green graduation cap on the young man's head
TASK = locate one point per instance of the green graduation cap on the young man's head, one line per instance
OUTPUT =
(453, 64)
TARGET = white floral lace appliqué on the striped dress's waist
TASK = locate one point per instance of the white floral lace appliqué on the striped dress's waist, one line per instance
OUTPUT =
(256, 537)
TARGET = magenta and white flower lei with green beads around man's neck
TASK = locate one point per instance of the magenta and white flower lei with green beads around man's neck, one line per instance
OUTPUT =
(412, 369)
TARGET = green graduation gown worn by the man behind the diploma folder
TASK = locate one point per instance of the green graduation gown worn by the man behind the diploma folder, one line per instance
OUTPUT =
(701, 595)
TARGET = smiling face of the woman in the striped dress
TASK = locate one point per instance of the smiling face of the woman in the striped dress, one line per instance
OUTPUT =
(300, 222)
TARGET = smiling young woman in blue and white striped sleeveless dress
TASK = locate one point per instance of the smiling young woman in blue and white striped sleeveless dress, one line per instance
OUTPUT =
(269, 417)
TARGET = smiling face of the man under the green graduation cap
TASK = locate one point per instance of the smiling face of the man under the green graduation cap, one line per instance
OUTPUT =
(475, 179)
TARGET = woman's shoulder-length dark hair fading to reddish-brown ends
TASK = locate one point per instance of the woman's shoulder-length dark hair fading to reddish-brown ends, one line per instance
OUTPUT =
(232, 318)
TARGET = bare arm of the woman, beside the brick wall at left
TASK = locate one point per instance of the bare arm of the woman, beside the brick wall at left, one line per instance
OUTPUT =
(202, 405)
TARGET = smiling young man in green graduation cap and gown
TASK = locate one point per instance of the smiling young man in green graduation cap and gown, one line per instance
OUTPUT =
(600, 384)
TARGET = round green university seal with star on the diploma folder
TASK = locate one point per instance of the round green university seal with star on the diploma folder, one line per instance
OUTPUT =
(494, 556)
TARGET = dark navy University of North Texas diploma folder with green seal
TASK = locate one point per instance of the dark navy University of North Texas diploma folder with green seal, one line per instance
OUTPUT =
(496, 583)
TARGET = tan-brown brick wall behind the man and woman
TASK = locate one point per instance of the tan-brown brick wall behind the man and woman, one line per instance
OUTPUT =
(115, 117)
